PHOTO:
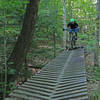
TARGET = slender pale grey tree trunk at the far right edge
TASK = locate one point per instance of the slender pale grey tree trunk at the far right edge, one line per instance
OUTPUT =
(96, 52)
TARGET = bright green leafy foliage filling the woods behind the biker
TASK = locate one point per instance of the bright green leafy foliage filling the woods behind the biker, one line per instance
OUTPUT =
(49, 21)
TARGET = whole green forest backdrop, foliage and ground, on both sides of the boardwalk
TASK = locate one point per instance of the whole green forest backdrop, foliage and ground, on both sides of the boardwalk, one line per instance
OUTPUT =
(48, 38)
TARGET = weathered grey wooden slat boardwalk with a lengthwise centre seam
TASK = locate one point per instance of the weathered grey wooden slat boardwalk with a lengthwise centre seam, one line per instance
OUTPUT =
(64, 78)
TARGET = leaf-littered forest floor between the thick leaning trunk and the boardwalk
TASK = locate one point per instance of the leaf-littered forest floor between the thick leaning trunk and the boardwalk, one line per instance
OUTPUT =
(40, 55)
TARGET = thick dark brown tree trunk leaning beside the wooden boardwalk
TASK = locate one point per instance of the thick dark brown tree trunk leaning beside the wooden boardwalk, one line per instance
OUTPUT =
(24, 41)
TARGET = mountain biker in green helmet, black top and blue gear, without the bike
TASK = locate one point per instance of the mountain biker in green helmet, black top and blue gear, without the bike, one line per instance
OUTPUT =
(73, 27)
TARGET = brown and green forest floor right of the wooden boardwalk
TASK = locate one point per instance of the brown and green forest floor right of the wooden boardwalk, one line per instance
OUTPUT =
(93, 76)
